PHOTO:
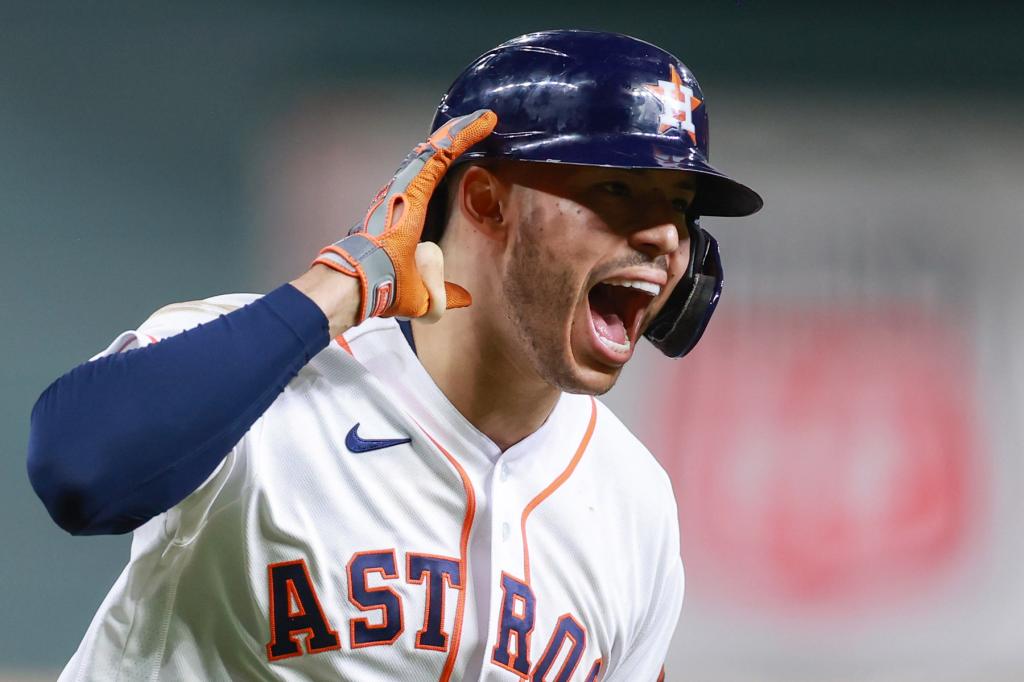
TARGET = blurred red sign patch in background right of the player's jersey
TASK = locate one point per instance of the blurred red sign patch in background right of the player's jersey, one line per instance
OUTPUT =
(823, 459)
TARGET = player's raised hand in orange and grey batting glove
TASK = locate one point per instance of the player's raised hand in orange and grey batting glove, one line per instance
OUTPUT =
(382, 251)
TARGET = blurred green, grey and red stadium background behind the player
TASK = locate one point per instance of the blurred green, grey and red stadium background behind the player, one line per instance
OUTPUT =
(846, 444)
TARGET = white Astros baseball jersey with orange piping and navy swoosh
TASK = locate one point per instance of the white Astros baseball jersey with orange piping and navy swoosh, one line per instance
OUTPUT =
(363, 530)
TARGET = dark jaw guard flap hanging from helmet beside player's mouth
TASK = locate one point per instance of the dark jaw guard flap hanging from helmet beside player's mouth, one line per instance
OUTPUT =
(678, 327)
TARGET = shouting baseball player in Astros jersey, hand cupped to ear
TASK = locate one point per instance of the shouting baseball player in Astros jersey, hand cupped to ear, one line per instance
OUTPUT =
(340, 481)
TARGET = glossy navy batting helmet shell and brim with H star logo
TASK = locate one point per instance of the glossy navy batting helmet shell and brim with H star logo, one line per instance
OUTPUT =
(596, 100)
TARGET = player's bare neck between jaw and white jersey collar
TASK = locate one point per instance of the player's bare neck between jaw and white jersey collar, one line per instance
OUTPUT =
(504, 400)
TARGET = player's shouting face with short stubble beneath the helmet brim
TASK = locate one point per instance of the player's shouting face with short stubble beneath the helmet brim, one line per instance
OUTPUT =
(588, 258)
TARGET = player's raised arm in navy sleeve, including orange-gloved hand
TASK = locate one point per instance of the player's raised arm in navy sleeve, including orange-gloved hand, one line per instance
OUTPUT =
(122, 439)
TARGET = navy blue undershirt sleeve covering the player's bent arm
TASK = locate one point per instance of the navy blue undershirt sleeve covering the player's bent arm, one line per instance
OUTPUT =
(125, 438)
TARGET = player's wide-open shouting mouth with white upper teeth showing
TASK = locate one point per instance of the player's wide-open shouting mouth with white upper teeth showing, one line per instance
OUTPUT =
(617, 311)
